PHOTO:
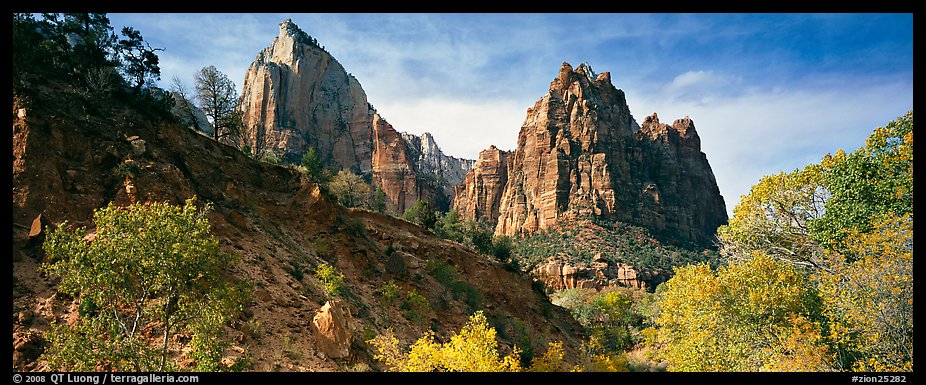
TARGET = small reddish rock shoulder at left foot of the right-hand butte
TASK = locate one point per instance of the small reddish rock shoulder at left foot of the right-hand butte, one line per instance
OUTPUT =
(479, 196)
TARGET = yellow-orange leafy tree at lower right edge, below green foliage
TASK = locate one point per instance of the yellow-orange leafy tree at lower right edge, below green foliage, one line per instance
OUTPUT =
(869, 301)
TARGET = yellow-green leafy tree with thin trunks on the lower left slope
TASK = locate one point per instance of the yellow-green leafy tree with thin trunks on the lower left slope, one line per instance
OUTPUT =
(150, 271)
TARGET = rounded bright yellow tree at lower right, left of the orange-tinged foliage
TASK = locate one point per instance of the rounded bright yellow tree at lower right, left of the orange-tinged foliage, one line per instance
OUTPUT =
(731, 319)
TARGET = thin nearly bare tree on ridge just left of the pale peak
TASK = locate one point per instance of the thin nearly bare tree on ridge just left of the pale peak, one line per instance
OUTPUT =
(217, 97)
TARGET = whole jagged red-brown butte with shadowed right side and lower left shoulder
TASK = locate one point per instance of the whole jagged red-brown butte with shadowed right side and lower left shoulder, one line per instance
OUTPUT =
(580, 152)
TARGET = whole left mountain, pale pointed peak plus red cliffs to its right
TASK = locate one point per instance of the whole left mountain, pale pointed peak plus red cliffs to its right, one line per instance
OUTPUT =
(301, 97)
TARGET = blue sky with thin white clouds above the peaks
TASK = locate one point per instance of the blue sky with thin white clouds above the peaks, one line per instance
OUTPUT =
(767, 92)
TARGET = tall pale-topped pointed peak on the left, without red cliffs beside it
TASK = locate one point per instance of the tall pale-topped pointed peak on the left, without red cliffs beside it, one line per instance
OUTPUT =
(301, 97)
